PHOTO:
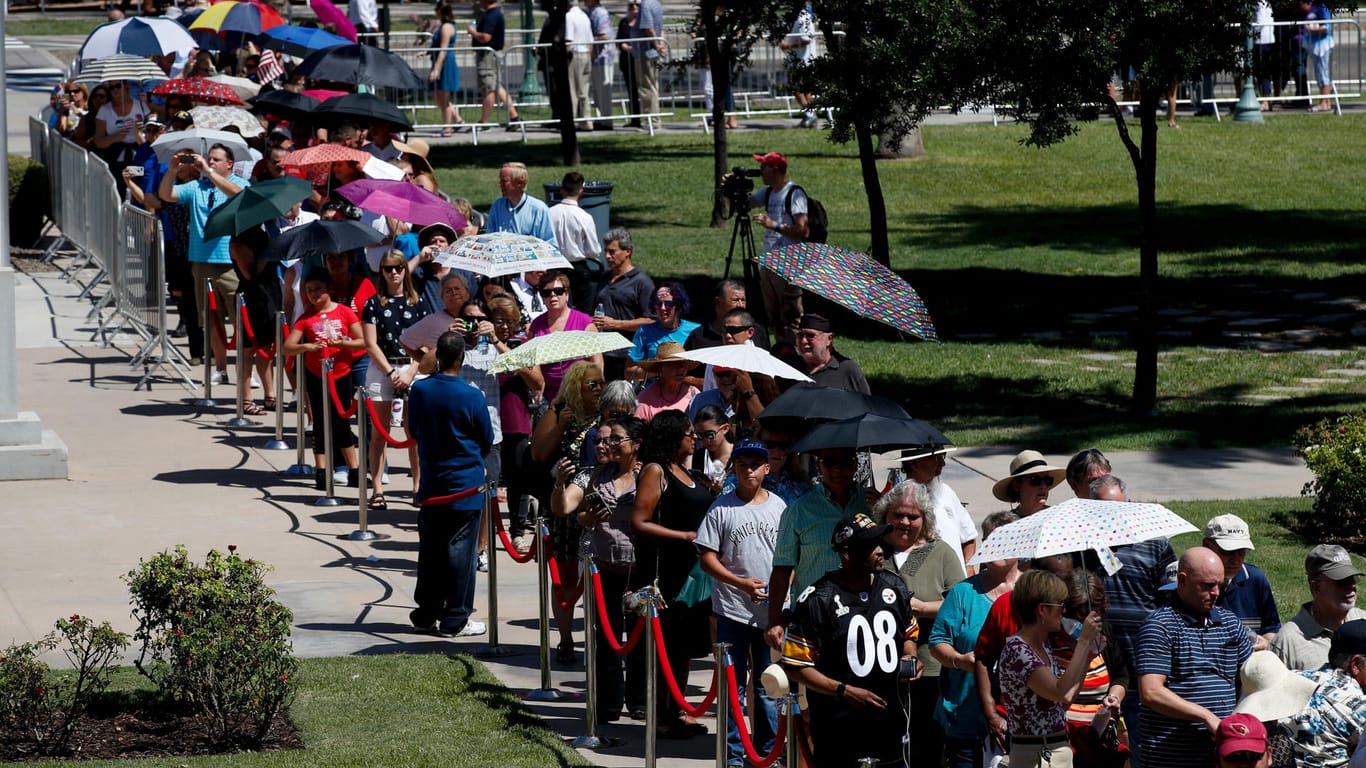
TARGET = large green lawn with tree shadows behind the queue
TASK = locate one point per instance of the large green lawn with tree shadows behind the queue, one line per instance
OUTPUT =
(1028, 260)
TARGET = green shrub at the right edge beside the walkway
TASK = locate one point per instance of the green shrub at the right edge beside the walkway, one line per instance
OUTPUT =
(1335, 452)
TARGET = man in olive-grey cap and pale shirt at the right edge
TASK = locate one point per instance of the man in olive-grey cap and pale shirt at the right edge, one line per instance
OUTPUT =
(1304, 642)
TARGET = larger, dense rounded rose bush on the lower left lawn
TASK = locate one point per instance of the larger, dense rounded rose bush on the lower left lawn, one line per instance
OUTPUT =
(214, 636)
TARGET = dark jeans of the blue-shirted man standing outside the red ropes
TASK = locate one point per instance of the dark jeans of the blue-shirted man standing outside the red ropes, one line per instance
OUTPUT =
(447, 542)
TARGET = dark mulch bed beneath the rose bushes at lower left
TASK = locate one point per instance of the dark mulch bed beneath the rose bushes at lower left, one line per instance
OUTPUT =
(145, 730)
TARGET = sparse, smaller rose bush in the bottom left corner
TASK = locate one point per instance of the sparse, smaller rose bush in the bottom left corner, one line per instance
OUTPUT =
(47, 710)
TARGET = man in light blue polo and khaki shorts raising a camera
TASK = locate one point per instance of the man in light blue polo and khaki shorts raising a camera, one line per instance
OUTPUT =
(210, 259)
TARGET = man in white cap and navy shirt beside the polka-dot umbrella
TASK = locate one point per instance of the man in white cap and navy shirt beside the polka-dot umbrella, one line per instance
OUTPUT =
(1246, 591)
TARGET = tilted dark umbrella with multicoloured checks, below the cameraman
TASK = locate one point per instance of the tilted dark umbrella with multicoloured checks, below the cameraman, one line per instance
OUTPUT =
(856, 282)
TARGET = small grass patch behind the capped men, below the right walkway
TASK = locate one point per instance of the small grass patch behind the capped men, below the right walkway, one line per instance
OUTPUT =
(1279, 553)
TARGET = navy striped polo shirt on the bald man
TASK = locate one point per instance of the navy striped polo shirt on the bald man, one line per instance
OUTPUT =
(1201, 657)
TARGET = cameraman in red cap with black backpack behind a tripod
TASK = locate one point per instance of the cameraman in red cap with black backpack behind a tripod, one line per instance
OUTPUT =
(785, 223)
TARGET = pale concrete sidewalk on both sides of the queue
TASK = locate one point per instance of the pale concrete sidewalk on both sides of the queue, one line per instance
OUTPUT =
(150, 472)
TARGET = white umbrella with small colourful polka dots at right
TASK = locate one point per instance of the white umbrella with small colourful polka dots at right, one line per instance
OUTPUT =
(1078, 525)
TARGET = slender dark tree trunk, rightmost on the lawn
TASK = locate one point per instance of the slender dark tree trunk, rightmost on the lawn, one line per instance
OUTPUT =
(1145, 335)
